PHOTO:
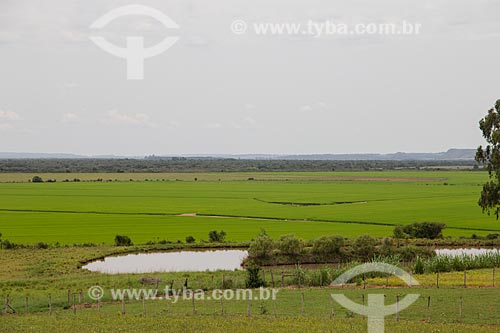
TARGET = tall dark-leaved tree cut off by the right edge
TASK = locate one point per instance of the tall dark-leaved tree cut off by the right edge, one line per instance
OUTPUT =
(490, 155)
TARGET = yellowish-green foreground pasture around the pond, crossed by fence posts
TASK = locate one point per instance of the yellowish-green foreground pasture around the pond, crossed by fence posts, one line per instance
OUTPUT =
(38, 274)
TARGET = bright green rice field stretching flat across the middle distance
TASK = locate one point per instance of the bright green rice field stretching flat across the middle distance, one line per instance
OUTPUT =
(152, 207)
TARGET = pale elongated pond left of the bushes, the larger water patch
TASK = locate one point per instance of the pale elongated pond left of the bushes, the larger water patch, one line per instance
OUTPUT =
(180, 261)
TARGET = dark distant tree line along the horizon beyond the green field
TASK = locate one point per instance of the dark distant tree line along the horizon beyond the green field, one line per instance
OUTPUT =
(212, 165)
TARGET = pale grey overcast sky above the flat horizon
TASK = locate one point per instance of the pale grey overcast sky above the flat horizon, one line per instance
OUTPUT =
(218, 92)
